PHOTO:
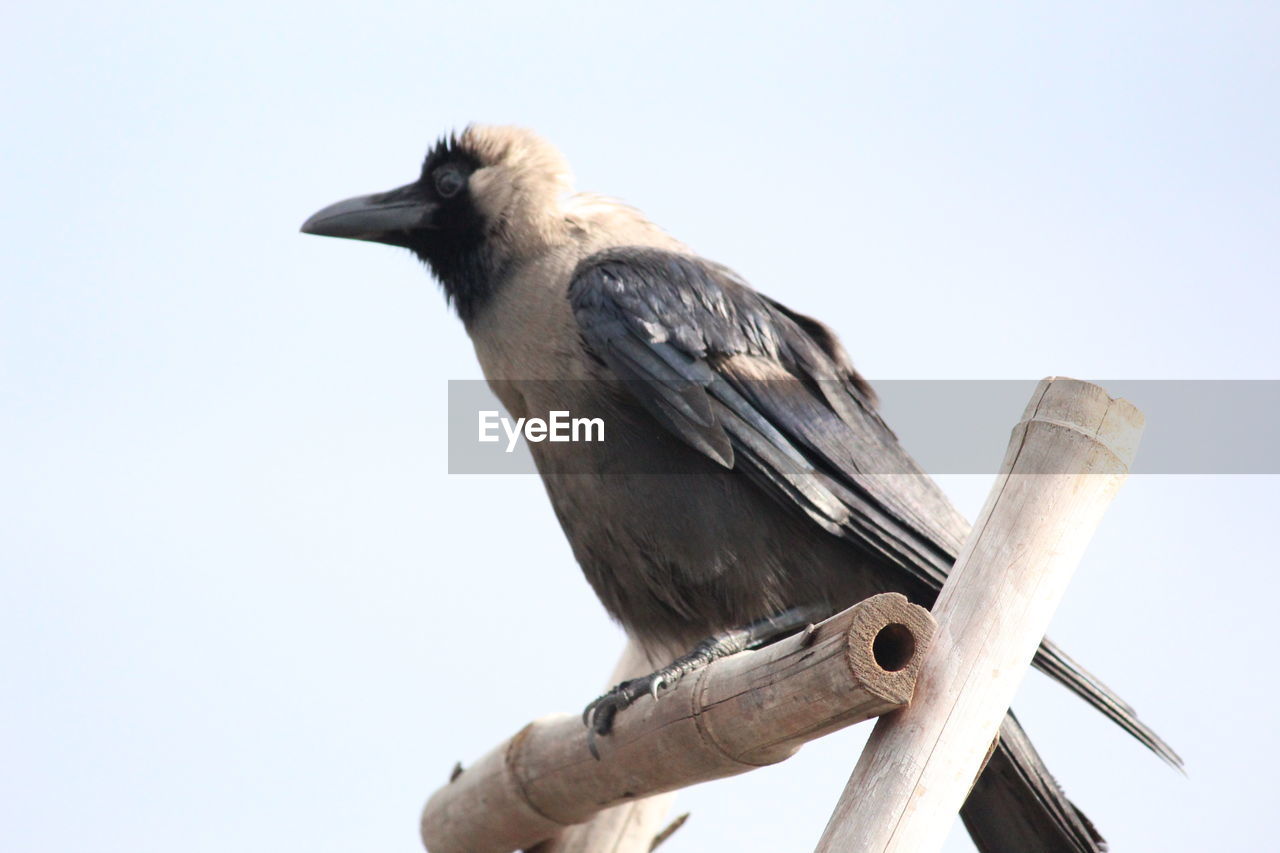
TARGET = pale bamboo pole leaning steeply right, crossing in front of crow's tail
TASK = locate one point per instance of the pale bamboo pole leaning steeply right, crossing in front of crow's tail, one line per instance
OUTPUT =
(1066, 462)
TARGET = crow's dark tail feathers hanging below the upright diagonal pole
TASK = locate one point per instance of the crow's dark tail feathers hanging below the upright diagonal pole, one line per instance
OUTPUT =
(1018, 808)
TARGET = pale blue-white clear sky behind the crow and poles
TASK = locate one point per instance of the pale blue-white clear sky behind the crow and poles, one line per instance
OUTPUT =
(245, 606)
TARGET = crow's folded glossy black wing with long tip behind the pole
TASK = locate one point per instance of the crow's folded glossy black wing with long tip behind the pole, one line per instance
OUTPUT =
(770, 393)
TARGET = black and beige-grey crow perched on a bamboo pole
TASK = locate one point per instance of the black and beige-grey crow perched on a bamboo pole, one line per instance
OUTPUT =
(748, 482)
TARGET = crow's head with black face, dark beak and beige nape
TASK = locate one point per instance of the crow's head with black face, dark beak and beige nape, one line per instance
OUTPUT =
(484, 198)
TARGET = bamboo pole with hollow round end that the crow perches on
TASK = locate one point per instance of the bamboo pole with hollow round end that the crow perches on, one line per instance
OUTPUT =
(742, 713)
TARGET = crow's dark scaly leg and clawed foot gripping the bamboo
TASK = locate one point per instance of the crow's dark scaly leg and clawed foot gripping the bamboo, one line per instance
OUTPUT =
(600, 714)
